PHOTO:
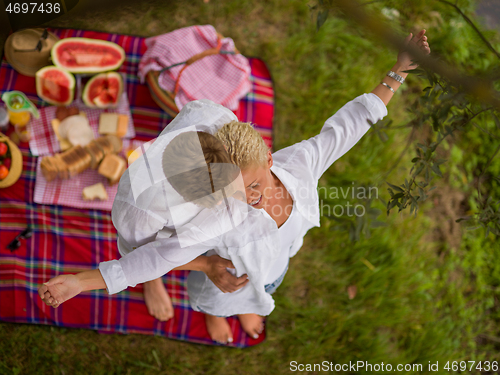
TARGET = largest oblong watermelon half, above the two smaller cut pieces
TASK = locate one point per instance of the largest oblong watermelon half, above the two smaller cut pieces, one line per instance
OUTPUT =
(84, 55)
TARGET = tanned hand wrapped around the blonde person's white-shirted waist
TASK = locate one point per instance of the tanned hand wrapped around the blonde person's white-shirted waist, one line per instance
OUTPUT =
(221, 277)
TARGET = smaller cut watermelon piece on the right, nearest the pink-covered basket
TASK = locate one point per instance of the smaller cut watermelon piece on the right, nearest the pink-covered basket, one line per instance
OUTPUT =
(103, 90)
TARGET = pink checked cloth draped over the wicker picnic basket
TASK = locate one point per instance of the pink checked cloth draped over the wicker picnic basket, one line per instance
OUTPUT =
(221, 78)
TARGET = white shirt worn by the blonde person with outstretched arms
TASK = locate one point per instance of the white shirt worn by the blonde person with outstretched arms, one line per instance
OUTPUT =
(298, 167)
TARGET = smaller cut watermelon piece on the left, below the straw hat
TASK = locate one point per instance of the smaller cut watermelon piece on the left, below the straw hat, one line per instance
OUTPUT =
(55, 85)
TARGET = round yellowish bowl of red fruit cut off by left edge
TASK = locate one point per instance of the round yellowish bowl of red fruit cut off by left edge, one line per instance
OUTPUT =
(11, 162)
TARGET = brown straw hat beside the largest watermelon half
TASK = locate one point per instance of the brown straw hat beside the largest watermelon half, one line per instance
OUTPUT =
(28, 63)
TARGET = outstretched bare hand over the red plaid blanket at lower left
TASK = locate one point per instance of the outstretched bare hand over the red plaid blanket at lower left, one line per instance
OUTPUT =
(59, 289)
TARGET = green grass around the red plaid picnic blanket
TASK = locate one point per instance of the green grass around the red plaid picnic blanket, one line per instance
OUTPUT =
(418, 299)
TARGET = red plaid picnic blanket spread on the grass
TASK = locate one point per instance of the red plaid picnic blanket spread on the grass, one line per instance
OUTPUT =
(70, 240)
